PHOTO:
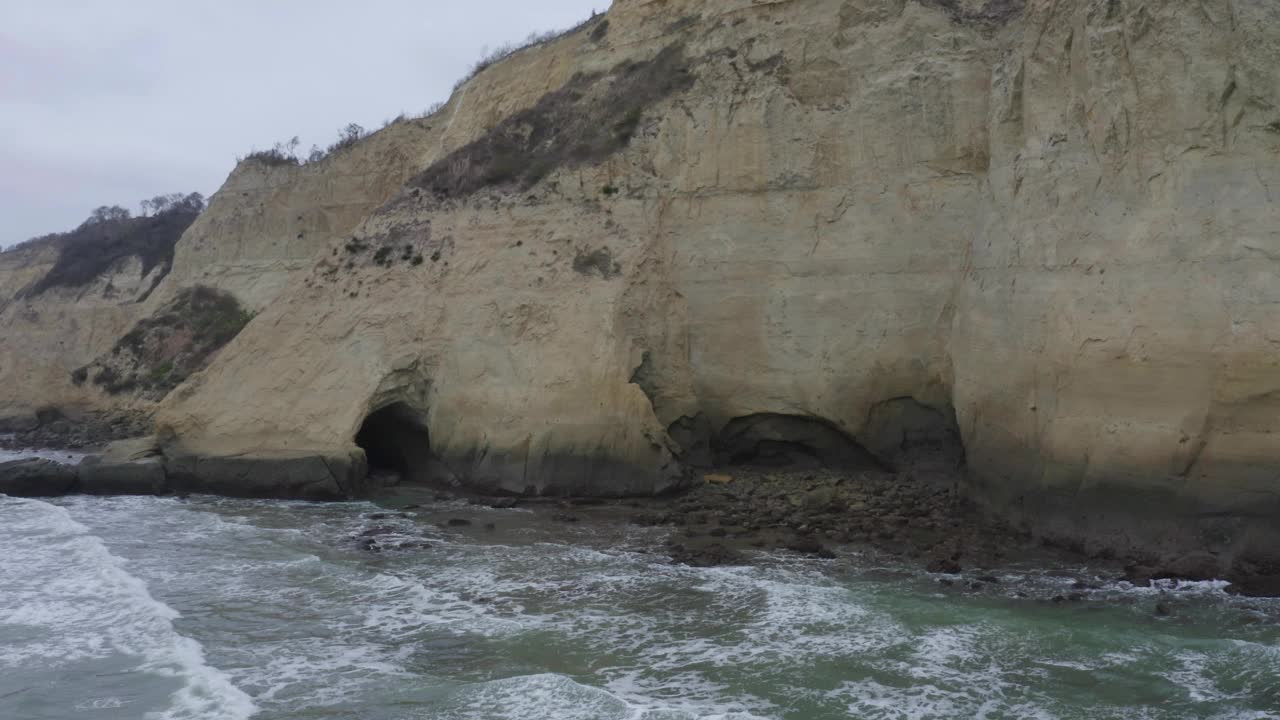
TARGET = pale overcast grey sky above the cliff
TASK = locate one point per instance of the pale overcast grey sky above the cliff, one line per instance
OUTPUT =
(109, 103)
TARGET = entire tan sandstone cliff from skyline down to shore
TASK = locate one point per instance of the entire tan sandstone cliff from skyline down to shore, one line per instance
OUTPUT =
(710, 230)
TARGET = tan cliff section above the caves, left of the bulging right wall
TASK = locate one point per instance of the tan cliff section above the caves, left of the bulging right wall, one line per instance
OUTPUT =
(748, 250)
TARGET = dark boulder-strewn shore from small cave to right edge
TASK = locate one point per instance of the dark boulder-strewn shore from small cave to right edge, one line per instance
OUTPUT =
(918, 517)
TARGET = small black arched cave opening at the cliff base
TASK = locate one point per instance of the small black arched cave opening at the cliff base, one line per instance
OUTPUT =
(397, 443)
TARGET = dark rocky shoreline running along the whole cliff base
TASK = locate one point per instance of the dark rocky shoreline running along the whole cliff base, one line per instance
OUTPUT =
(720, 518)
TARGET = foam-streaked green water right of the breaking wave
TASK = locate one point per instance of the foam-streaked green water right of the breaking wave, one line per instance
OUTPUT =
(312, 626)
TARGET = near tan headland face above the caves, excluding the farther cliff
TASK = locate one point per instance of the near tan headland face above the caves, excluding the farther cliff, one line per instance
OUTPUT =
(954, 204)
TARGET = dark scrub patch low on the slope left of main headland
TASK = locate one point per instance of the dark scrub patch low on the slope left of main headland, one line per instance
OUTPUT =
(163, 350)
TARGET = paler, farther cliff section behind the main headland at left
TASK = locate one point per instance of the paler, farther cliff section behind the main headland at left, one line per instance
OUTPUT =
(264, 226)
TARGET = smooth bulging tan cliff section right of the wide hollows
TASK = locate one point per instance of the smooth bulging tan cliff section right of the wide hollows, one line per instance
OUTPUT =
(1116, 343)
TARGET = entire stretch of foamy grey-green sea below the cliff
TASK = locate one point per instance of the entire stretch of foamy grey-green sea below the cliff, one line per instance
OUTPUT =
(222, 609)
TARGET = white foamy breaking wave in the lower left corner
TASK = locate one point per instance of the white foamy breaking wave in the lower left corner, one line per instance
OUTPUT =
(71, 591)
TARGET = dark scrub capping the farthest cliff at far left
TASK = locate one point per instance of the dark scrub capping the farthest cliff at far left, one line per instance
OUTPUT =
(112, 235)
